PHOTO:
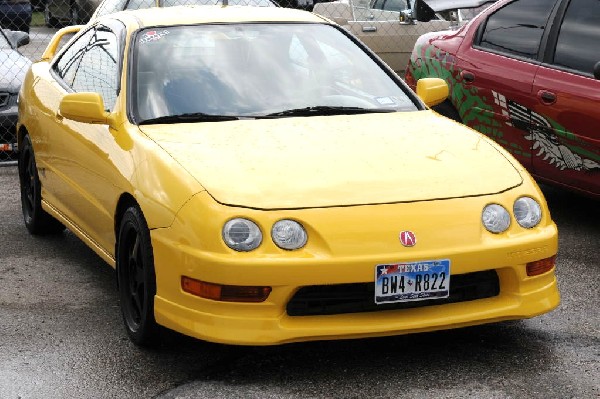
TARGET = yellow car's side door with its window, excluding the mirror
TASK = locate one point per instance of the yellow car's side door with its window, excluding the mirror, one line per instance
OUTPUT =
(88, 181)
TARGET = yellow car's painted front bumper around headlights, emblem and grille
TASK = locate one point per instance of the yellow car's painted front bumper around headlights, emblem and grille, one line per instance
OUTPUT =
(359, 240)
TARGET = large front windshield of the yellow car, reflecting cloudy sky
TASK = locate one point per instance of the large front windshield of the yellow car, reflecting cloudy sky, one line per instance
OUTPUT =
(256, 70)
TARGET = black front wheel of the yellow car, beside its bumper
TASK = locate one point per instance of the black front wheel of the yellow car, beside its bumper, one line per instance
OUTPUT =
(136, 278)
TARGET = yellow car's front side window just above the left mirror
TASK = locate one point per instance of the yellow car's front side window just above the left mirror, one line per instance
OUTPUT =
(98, 69)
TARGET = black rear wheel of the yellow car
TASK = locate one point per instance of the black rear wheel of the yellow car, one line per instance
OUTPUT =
(37, 221)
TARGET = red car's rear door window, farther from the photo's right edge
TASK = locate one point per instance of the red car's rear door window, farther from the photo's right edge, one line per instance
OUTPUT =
(517, 28)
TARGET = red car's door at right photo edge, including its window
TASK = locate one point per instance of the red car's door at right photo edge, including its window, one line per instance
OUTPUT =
(566, 134)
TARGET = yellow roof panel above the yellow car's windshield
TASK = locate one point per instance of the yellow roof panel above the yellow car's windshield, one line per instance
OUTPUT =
(194, 14)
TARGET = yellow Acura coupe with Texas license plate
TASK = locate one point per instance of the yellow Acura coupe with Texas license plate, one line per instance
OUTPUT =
(258, 176)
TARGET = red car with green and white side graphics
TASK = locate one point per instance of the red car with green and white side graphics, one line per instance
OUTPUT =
(527, 74)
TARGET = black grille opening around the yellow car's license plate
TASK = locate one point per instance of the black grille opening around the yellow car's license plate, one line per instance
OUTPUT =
(360, 297)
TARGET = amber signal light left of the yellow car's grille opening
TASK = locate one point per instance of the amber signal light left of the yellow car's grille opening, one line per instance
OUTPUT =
(225, 293)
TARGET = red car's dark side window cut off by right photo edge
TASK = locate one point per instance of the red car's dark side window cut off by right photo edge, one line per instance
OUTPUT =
(578, 45)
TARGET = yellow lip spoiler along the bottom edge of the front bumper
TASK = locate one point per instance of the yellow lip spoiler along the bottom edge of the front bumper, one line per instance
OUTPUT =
(238, 329)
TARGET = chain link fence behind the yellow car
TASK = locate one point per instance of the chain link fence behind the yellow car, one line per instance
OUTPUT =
(380, 24)
